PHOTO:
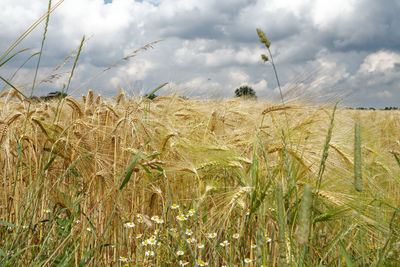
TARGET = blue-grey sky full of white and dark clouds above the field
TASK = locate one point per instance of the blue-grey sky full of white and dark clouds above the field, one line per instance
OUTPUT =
(342, 50)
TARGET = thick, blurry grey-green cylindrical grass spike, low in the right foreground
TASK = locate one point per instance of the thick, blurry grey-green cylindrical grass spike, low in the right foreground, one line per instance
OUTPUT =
(305, 216)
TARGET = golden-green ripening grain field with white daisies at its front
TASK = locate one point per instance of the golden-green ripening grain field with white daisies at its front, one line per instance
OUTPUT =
(176, 181)
